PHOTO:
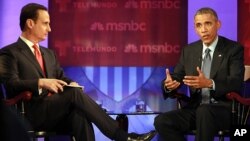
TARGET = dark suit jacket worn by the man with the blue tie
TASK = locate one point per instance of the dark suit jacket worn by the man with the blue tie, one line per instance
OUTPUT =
(227, 69)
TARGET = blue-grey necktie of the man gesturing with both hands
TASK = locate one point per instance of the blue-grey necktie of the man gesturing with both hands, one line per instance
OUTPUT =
(206, 67)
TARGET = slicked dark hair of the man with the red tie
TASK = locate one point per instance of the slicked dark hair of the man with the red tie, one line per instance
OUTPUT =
(29, 11)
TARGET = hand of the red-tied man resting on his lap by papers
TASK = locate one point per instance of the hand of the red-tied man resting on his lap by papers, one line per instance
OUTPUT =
(53, 85)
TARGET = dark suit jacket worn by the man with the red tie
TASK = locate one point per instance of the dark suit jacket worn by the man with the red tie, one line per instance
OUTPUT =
(25, 70)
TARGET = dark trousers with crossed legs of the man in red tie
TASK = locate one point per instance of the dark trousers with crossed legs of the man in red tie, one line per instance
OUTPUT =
(74, 111)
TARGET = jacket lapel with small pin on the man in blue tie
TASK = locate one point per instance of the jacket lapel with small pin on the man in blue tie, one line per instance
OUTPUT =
(217, 58)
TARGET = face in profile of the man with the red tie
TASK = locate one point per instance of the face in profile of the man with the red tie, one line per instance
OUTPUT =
(41, 27)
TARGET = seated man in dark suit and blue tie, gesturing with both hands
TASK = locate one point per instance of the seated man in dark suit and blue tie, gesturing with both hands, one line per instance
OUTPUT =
(205, 114)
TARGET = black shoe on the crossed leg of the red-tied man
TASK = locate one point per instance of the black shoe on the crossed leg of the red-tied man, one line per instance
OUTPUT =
(141, 137)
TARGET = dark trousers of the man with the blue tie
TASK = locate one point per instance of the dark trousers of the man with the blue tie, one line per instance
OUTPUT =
(207, 119)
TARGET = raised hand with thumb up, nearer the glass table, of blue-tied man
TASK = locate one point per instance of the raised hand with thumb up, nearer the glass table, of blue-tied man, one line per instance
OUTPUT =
(169, 83)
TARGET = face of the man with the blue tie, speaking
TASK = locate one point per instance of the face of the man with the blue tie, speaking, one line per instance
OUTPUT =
(206, 26)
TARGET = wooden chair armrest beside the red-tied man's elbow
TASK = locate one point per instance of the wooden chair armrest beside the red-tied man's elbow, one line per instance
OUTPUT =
(26, 96)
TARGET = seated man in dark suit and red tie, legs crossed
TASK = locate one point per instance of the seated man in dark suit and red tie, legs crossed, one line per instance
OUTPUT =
(53, 106)
